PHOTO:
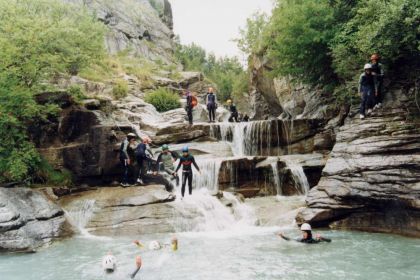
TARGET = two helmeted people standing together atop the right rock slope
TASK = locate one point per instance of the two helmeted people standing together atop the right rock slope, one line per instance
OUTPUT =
(371, 86)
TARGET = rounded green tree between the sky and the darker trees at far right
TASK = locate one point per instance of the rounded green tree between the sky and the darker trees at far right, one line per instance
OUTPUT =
(300, 46)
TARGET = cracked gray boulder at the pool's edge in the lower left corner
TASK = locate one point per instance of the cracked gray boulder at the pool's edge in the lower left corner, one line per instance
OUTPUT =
(28, 220)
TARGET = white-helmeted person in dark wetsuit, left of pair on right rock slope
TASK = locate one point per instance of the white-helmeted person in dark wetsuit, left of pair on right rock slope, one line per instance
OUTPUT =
(366, 91)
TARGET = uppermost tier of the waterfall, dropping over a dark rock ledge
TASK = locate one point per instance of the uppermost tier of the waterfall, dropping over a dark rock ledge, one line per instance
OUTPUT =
(249, 138)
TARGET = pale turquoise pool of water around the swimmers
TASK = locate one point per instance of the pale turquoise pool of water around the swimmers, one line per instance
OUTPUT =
(251, 253)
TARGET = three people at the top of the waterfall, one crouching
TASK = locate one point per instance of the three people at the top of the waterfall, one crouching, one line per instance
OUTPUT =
(212, 105)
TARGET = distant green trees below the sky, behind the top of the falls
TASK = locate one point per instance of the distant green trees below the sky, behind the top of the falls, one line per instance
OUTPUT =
(227, 73)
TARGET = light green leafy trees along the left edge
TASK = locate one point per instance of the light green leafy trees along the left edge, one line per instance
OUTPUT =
(38, 41)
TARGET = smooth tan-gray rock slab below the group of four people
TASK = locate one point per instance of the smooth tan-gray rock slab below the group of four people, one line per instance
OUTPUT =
(130, 211)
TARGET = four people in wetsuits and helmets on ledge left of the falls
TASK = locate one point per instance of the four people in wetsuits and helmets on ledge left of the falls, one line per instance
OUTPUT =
(132, 152)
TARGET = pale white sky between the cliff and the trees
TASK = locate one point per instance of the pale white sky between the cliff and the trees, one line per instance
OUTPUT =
(212, 24)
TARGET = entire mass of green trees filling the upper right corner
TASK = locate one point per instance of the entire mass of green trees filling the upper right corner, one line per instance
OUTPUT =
(327, 42)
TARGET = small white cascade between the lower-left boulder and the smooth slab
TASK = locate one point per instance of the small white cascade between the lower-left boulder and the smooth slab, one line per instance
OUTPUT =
(80, 214)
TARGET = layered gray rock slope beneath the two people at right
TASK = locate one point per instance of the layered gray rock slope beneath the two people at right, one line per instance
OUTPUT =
(372, 180)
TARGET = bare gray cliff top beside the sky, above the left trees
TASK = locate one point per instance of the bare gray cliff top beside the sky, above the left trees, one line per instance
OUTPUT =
(138, 25)
